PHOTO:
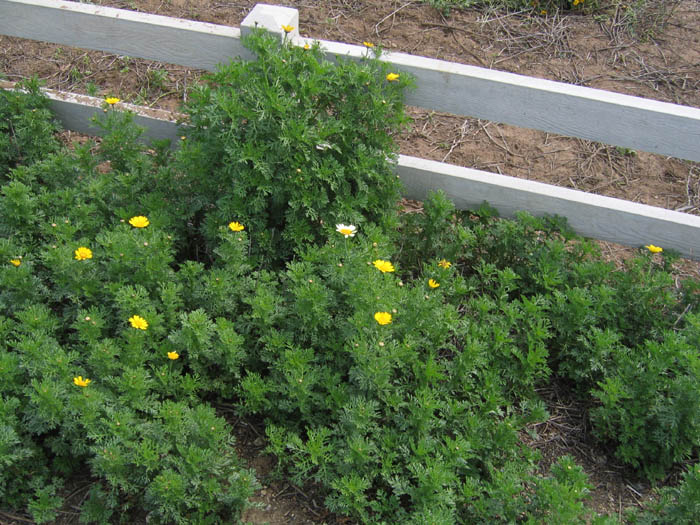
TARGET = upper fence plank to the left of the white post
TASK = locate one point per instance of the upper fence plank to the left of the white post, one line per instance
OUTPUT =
(188, 43)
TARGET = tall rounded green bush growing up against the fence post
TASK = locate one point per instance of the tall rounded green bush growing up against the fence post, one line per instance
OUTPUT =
(290, 145)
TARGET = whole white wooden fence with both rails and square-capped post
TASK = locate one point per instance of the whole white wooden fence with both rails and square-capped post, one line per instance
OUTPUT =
(592, 114)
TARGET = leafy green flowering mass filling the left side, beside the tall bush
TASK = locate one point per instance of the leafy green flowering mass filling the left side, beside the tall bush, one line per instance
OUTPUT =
(85, 388)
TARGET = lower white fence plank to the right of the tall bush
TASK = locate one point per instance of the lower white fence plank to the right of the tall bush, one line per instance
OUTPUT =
(590, 215)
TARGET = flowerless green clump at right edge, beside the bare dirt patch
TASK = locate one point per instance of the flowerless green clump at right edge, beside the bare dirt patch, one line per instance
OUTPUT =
(651, 402)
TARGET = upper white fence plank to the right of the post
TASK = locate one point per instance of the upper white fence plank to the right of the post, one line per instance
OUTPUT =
(575, 111)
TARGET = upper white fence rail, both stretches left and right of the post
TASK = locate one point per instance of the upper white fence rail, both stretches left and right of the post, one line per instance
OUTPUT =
(612, 118)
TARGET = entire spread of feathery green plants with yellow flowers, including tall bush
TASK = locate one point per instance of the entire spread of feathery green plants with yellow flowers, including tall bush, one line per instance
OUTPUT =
(393, 358)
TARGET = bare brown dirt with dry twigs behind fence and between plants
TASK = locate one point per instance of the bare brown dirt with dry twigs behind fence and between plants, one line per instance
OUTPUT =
(656, 55)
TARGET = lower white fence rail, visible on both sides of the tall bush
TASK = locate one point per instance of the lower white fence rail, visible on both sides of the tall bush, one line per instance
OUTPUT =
(590, 215)
